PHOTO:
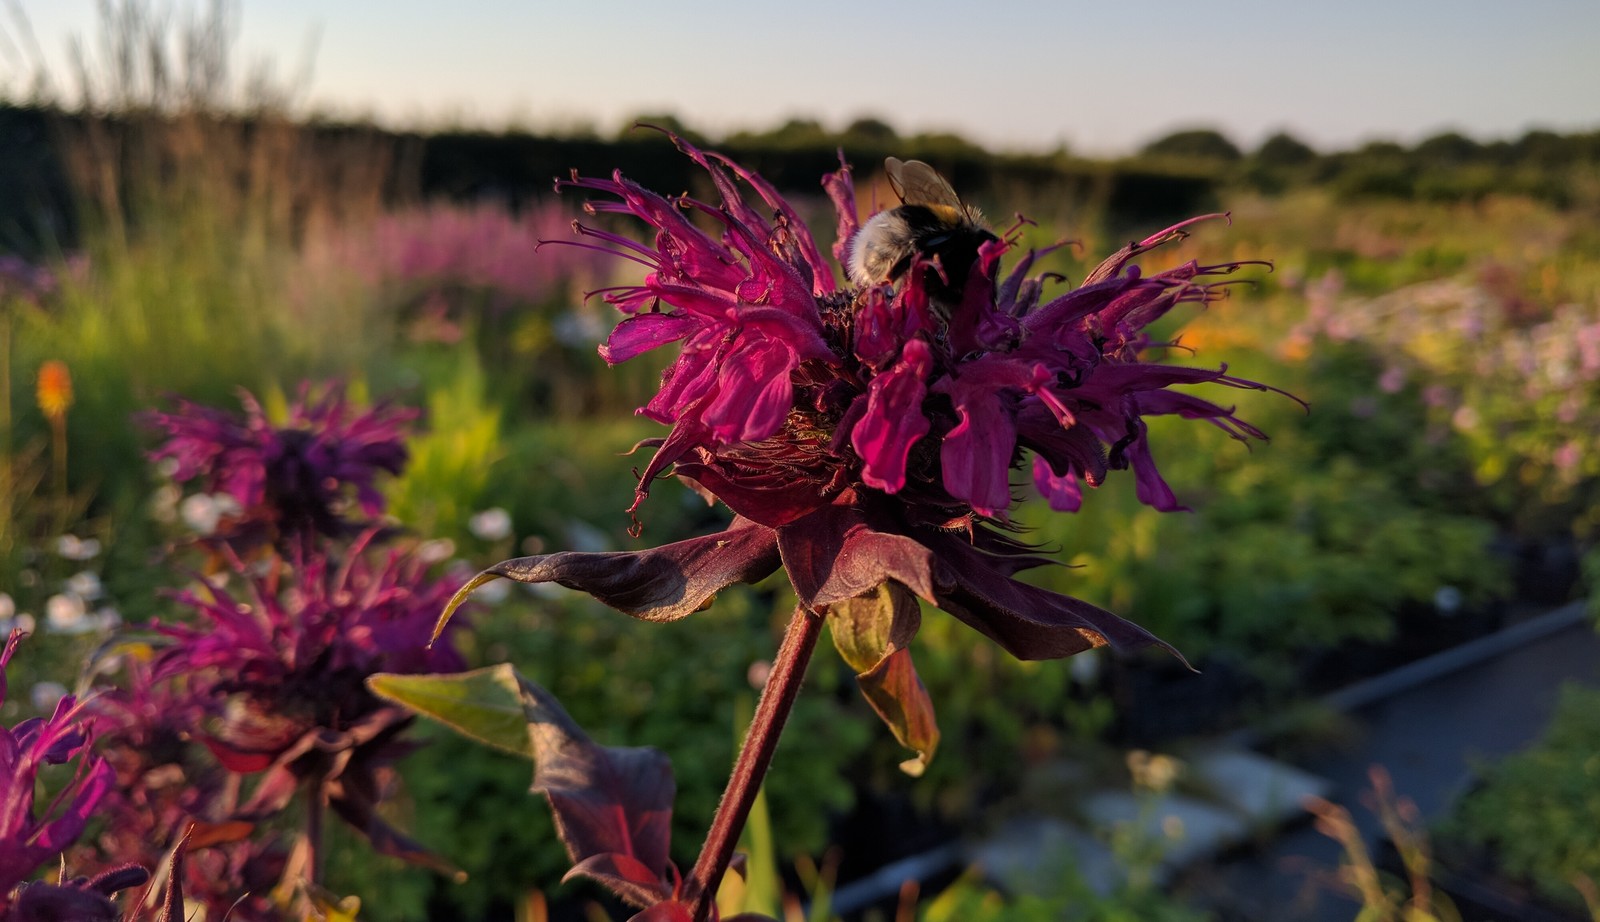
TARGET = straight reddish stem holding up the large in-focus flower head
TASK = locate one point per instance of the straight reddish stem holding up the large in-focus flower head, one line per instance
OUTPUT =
(761, 742)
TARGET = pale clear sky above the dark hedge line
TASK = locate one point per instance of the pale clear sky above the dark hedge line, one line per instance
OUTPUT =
(1100, 78)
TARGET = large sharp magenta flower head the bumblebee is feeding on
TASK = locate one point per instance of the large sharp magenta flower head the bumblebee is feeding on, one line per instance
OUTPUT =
(783, 379)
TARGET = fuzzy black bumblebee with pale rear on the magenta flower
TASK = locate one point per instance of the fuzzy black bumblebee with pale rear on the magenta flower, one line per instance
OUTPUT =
(932, 223)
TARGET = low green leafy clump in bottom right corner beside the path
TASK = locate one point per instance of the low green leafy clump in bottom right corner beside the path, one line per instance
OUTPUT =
(1540, 811)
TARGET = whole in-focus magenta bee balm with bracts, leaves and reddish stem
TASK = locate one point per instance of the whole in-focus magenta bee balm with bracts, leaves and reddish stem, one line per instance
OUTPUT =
(865, 439)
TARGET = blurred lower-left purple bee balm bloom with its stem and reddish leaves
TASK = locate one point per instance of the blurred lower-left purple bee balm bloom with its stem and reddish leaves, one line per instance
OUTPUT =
(254, 718)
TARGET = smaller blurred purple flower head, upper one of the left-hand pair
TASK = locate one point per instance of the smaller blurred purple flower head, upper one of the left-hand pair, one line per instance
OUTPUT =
(297, 479)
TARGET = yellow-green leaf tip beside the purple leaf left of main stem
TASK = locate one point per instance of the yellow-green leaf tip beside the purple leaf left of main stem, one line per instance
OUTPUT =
(482, 705)
